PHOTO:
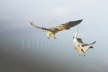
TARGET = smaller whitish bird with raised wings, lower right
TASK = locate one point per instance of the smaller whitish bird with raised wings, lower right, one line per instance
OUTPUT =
(80, 46)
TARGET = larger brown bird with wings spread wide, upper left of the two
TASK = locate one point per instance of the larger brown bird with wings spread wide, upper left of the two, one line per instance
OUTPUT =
(53, 30)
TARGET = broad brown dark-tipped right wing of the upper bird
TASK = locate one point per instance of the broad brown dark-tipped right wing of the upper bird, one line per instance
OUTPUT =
(66, 26)
